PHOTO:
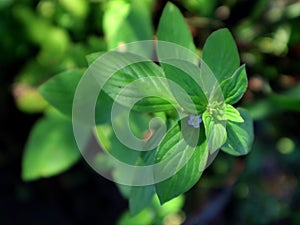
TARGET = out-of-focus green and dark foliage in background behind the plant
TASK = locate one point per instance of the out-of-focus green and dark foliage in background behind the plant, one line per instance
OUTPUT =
(43, 37)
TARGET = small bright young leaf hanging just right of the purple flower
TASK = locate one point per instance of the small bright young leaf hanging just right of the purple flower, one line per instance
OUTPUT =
(215, 132)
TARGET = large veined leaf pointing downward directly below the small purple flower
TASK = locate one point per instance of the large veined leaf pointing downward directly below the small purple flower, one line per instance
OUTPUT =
(175, 150)
